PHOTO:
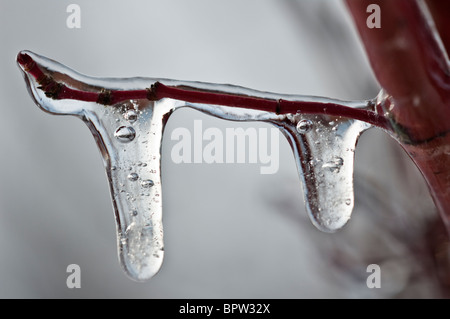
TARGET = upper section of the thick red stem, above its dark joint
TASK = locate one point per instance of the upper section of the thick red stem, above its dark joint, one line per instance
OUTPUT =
(408, 63)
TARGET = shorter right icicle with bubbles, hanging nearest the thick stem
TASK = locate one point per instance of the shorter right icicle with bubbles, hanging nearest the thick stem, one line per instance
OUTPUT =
(324, 149)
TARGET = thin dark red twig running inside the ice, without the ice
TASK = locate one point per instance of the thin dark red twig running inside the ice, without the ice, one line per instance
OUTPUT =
(158, 91)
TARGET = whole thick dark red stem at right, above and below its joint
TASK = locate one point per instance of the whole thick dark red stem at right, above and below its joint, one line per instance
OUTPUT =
(413, 68)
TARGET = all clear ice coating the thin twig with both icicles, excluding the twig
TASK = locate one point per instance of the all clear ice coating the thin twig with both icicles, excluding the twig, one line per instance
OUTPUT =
(129, 135)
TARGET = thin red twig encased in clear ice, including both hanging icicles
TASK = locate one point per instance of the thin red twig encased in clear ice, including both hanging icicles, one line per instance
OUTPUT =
(127, 118)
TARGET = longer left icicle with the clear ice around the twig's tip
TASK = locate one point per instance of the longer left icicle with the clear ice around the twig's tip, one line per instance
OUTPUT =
(129, 137)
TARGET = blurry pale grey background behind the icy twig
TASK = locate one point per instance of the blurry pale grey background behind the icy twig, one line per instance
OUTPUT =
(229, 231)
